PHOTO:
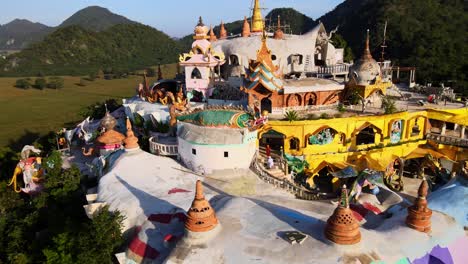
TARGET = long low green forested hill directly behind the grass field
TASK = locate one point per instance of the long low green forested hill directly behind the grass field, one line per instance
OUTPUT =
(76, 51)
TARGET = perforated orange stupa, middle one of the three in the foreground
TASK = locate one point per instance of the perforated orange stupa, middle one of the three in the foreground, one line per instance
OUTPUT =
(342, 228)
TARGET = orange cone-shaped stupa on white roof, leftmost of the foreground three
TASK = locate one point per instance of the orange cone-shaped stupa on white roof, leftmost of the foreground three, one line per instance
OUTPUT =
(201, 216)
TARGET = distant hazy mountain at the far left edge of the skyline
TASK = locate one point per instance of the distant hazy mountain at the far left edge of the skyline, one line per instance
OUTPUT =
(20, 32)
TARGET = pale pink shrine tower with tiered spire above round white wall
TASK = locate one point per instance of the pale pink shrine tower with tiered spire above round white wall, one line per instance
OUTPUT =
(202, 64)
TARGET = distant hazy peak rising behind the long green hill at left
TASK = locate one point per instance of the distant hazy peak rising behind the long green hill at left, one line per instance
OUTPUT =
(95, 18)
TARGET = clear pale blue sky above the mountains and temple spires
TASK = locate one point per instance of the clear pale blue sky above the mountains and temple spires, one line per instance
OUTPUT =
(176, 18)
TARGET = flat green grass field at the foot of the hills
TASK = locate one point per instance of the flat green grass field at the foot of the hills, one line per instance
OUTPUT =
(26, 114)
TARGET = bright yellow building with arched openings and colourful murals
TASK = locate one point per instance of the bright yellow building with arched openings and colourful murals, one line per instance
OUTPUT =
(378, 142)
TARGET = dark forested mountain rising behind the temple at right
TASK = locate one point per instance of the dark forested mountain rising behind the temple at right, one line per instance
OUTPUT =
(428, 34)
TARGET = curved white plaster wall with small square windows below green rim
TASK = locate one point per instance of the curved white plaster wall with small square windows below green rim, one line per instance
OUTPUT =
(211, 157)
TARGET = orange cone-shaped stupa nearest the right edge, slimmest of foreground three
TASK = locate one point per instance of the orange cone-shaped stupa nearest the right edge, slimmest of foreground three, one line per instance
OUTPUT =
(419, 216)
